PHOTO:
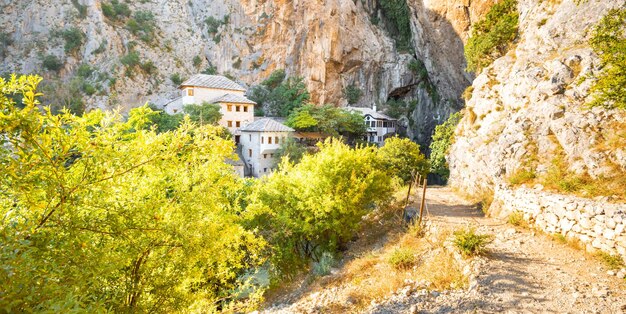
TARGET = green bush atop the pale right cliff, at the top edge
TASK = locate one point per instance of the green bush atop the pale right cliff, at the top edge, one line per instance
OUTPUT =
(491, 37)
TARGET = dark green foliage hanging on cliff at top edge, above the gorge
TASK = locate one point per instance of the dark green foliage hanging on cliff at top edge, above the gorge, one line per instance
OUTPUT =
(398, 18)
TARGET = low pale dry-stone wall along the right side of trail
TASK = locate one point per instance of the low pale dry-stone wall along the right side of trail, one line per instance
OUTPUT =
(596, 223)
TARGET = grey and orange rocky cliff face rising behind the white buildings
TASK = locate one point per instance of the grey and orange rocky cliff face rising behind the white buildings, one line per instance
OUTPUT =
(332, 44)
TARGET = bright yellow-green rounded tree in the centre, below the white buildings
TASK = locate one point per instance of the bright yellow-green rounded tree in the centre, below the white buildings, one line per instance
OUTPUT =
(318, 203)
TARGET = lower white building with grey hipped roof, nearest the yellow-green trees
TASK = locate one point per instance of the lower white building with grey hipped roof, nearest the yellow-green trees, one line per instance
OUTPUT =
(259, 142)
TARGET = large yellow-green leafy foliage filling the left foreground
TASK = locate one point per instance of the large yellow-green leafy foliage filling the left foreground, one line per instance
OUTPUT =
(102, 214)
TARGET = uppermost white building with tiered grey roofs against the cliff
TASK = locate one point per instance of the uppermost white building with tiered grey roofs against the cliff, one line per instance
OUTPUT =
(236, 109)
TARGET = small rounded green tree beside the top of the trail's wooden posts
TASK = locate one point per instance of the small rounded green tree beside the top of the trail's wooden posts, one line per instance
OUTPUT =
(403, 159)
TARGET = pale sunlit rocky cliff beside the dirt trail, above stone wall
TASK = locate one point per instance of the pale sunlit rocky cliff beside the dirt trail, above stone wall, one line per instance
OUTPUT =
(527, 110)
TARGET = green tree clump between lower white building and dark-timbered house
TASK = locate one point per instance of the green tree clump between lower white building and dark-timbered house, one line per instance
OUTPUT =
(328, 120)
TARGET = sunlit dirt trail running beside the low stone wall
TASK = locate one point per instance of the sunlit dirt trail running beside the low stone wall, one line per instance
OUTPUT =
(523, 272)
